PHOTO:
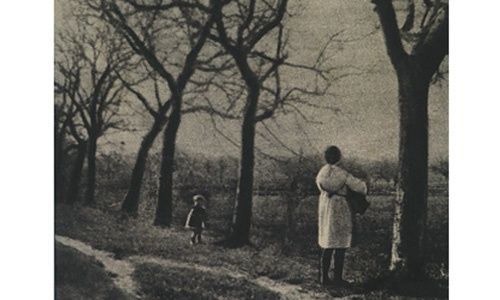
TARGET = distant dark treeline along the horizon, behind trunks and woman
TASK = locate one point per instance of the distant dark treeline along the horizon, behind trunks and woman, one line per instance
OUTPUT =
(272, 175)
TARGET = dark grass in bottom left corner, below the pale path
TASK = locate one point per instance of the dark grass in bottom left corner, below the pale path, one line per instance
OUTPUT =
(78, 276)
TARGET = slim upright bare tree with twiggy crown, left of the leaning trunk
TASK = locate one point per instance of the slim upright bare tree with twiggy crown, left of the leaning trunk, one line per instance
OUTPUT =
(89, 59)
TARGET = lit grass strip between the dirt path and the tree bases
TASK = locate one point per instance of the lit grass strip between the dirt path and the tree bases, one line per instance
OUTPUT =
(135, 237)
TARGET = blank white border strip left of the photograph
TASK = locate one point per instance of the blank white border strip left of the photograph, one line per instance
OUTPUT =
(26, 158)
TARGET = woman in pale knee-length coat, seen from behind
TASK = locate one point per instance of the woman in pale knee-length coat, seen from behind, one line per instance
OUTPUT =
(334, 216)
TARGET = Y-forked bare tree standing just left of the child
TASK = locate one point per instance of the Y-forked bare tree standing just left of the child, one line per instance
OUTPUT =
(127, 17)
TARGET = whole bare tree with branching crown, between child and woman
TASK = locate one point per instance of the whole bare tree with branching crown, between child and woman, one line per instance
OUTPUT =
(252, 33)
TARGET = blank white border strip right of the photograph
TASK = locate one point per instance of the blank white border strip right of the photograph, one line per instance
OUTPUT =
(474, 115)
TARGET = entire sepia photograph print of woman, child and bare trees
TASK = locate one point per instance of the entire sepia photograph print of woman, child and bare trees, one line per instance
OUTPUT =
(251, 149)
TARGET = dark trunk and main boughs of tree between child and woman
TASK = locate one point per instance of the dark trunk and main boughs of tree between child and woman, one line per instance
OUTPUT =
(239, 48)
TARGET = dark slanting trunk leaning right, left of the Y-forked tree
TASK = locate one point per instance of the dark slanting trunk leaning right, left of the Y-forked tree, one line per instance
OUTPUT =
(130, 204)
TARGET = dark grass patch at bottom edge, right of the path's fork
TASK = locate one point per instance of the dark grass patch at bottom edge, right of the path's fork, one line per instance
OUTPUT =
(158, 283)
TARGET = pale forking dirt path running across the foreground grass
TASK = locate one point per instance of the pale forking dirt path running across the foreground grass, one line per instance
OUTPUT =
(123, 269)
